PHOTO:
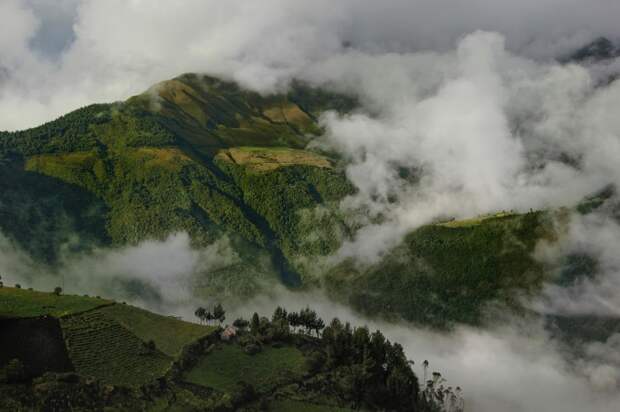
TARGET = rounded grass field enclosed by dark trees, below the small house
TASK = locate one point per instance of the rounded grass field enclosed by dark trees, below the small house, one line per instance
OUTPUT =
(226, 366)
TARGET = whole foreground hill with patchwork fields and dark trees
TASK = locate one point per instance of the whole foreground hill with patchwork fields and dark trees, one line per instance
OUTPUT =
(84, 353)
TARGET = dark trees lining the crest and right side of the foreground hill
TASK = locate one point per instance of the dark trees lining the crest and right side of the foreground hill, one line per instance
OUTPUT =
(361, 367)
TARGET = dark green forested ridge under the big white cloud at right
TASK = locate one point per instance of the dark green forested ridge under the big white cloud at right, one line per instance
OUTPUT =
(443, 274)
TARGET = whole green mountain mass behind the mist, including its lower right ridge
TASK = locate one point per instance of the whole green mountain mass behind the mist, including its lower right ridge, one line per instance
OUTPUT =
(204, 156)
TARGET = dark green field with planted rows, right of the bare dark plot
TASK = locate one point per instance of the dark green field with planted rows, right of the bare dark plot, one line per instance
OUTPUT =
(101, 347)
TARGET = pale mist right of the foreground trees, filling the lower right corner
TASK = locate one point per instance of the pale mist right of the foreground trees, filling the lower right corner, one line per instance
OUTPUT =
(516, 366)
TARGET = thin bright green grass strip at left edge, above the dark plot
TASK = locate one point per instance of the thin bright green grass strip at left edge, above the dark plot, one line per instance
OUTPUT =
(21, 303)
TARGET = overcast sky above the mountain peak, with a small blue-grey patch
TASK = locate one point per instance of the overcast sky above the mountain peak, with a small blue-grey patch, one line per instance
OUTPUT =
(61, 54)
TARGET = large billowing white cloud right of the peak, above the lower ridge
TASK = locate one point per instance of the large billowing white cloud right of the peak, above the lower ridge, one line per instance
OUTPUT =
(475, 130)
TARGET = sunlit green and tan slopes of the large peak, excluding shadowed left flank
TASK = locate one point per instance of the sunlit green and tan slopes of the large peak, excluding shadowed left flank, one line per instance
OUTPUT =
(178, 161)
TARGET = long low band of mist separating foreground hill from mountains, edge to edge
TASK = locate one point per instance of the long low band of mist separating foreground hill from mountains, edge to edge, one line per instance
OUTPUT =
(514, 365)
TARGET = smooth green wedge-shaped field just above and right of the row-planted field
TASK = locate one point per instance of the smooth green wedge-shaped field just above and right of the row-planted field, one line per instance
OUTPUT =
(169, 334)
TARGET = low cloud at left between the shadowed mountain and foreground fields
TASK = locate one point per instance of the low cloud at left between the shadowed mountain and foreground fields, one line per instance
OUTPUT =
(162, 276)
